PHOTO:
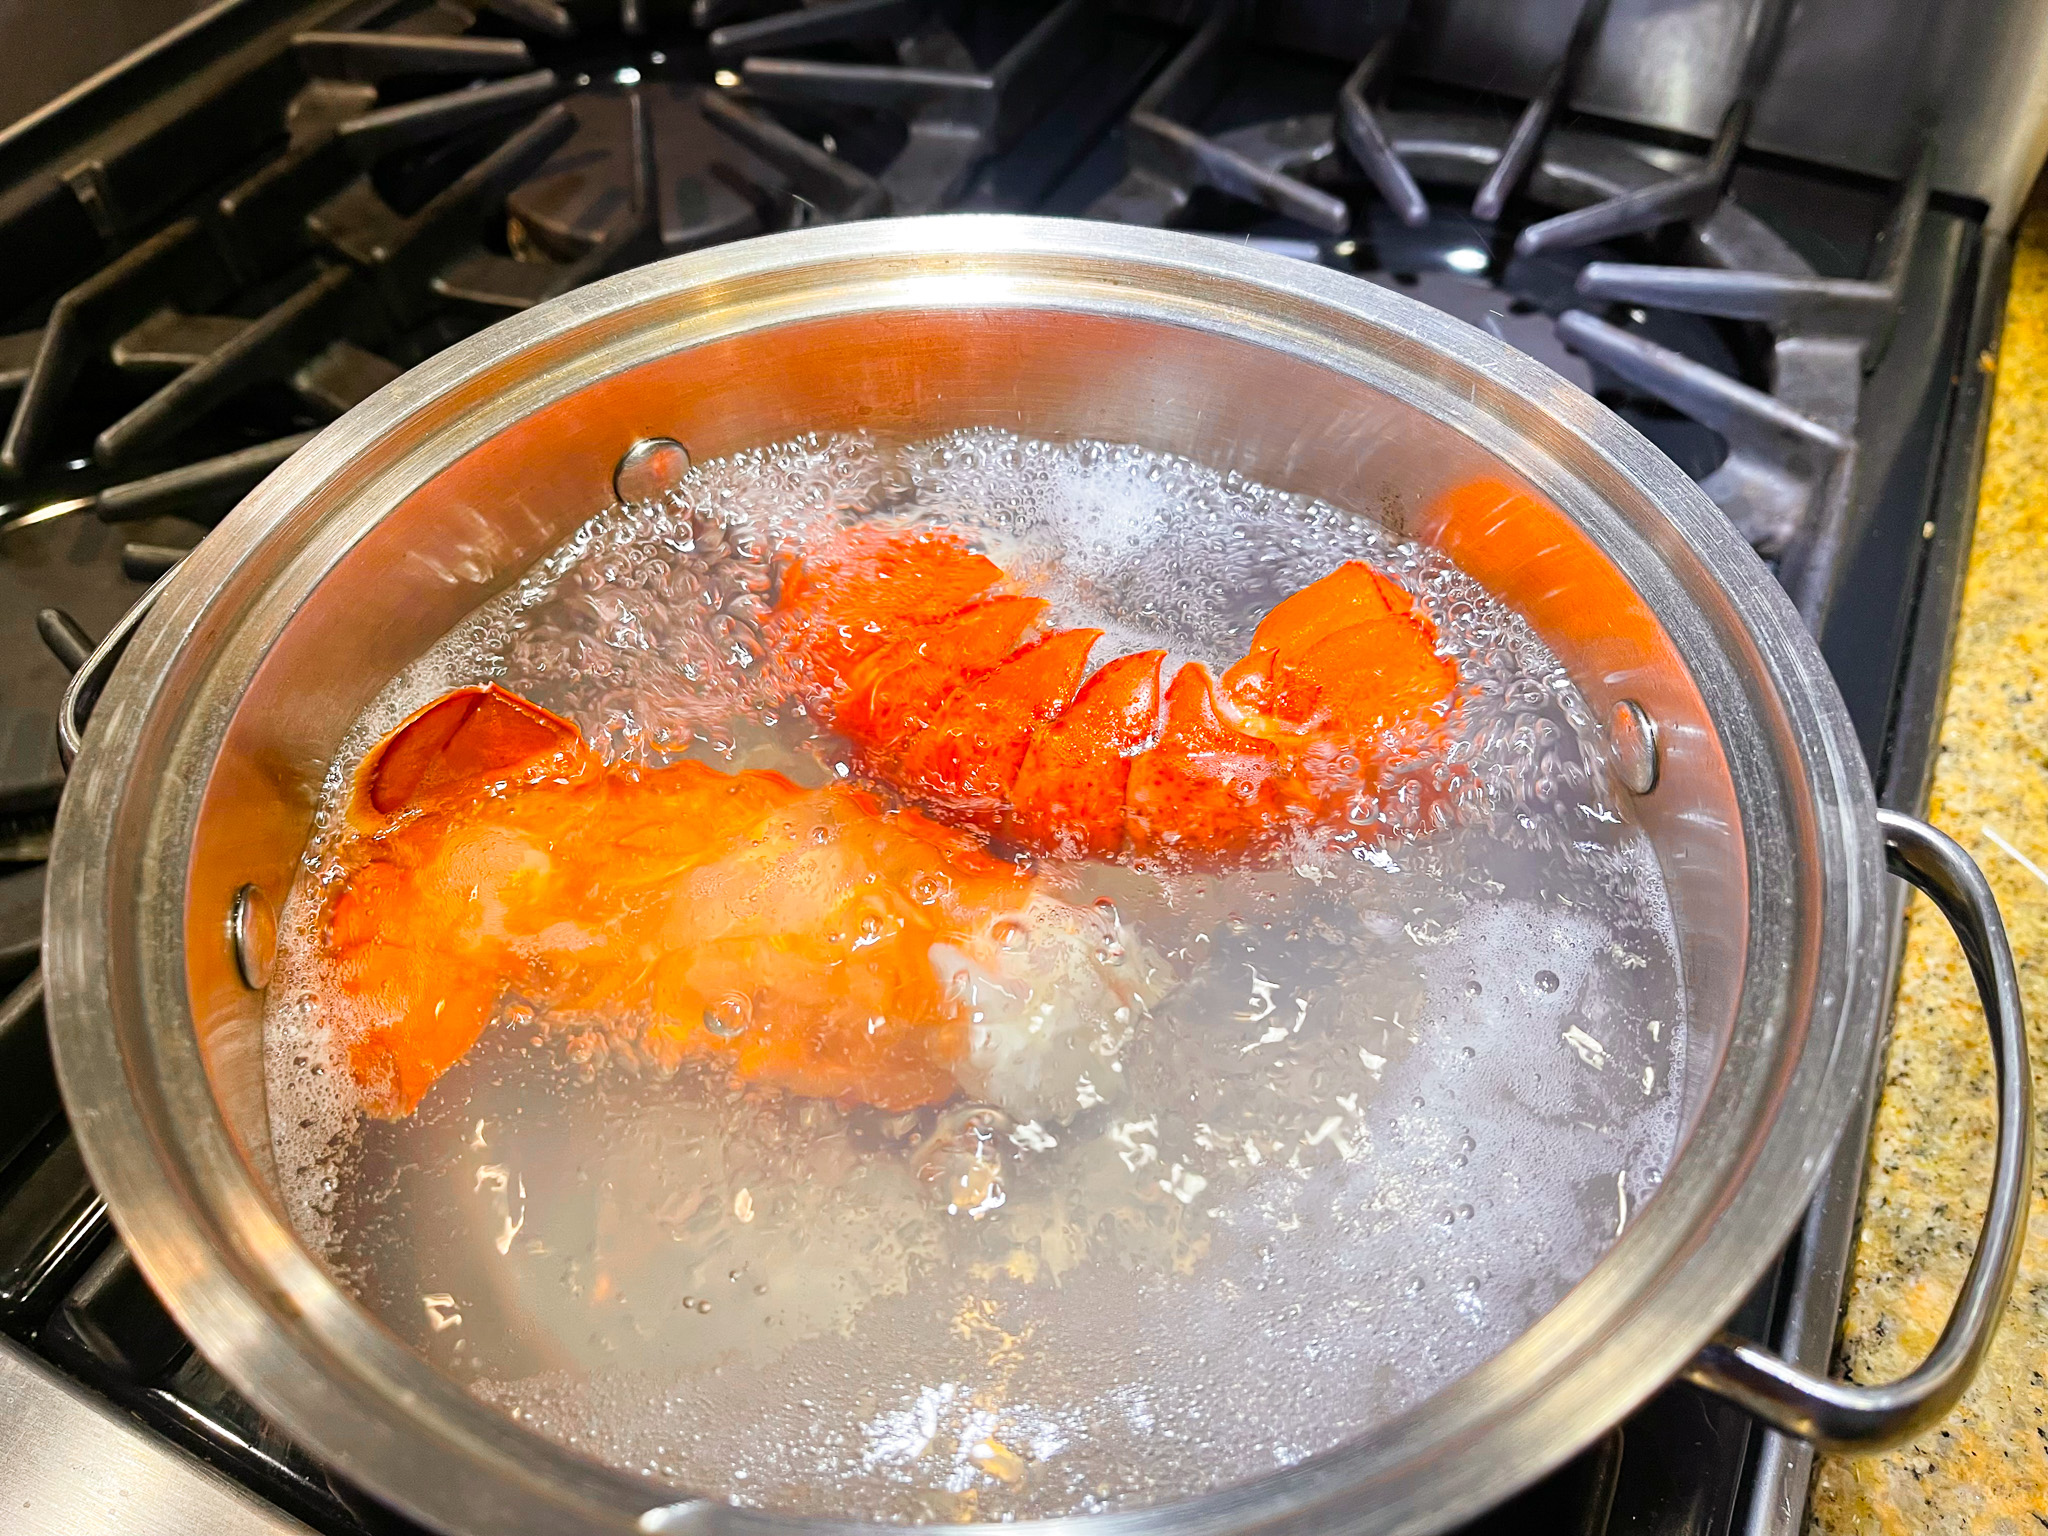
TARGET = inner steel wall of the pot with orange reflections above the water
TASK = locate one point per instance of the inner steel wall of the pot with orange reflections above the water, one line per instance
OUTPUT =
(466, 527)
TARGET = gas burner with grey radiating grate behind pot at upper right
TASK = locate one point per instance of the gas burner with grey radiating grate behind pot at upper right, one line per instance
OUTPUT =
(1773, 441)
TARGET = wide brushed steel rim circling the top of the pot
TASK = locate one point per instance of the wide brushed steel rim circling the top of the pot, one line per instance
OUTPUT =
(267, 1316)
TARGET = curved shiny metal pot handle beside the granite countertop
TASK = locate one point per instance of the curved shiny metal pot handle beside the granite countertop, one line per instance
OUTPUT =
(1850, 1416)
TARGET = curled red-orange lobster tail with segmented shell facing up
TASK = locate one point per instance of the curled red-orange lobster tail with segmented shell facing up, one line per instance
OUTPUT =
(1013, 738)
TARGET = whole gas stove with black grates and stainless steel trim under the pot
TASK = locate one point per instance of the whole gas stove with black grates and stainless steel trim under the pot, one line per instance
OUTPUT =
(280, 206)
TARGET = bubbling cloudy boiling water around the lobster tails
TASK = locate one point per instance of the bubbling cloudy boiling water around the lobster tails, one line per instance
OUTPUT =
(1394, 1099)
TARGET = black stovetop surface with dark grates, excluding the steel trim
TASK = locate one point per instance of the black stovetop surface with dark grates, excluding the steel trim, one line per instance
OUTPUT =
(239, 237)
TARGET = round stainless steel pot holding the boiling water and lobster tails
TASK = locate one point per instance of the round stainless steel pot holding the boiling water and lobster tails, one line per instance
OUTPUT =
(194, 792)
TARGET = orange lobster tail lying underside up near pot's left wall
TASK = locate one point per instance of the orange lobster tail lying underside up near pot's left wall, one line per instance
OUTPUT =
(744, 919)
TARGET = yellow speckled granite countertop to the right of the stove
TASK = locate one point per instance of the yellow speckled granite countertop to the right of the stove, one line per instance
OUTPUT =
(1983, 1469)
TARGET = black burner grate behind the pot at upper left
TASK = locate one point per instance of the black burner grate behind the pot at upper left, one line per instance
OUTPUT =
(433, 179)
